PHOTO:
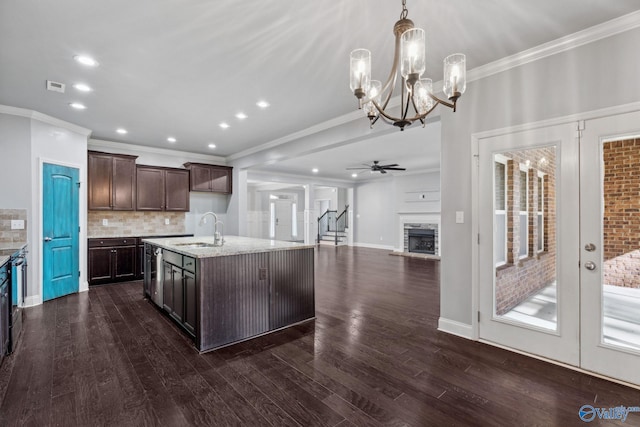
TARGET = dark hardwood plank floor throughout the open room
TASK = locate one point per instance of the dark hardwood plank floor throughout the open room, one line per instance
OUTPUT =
(372, 357)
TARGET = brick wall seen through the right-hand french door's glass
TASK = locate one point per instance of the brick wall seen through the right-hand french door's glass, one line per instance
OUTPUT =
(621, 221)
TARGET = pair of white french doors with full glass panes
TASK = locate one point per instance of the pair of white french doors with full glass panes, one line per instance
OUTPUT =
(559, 243)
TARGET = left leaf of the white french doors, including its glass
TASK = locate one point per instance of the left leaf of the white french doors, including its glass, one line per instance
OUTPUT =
(528, 241)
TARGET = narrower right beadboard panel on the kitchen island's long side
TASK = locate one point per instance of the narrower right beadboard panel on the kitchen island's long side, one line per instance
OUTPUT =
(291, 274)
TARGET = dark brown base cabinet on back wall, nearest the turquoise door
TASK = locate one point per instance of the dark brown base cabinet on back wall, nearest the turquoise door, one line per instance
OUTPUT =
(112, 260)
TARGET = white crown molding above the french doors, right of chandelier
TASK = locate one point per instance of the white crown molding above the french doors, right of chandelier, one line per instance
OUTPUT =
(563, 44)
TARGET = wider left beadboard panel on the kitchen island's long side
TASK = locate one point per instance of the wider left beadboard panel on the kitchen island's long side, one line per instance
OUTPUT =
(233, 299)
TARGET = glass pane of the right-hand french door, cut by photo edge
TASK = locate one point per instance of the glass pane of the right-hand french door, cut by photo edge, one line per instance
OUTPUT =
(621, 243)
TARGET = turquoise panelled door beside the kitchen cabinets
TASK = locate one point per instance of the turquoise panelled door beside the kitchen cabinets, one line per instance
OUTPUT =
(60, 264)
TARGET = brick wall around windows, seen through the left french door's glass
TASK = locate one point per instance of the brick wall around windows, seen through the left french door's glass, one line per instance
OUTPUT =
(523, 277)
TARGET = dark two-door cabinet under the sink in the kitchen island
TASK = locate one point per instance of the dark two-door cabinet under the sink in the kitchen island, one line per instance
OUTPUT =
(179, 290)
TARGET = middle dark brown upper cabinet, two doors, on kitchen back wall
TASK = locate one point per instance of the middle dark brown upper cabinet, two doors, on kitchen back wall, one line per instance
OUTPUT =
(162, 189)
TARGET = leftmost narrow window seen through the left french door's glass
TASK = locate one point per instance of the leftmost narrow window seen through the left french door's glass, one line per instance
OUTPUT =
(500, 206)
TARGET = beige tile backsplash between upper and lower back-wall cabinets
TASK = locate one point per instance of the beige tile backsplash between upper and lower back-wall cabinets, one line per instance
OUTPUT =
(130, 224)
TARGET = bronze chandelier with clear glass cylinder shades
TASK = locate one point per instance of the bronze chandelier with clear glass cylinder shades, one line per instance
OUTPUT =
(416, 92)
